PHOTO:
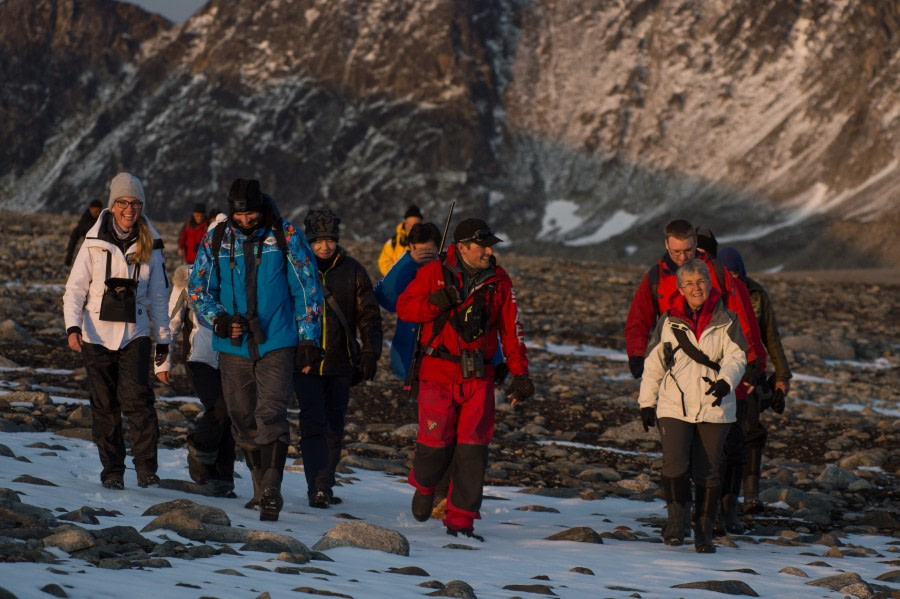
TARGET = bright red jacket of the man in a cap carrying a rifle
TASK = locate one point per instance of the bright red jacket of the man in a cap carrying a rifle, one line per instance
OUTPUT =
(413, 306)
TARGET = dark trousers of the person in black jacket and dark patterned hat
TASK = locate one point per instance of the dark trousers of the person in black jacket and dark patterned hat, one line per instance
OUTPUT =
(323, 409)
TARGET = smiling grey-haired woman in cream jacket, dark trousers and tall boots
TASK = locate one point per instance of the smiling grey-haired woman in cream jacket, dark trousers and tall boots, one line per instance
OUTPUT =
(695, 358)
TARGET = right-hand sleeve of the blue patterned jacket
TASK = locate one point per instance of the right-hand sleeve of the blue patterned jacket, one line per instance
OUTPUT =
(303, 281)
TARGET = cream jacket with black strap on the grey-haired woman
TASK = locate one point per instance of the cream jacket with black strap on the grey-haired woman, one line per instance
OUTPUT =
(722, 341)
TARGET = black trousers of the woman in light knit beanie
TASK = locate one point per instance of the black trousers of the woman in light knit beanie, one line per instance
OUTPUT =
(120, 384)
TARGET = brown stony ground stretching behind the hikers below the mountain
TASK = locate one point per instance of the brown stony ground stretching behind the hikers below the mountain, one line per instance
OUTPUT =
(832, 461)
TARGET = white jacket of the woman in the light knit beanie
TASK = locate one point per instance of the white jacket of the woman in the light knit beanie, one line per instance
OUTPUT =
(85, 286)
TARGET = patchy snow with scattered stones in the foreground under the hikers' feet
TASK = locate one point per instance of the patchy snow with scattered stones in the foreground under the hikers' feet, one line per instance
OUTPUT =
(515, 550)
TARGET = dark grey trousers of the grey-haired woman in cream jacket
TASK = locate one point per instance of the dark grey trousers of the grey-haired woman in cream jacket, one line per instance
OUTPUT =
(697, 446)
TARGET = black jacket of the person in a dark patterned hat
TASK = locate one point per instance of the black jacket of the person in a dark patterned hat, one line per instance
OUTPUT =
(351, 287)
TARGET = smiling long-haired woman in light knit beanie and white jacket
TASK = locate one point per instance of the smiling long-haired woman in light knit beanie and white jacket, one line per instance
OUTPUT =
(117, 287)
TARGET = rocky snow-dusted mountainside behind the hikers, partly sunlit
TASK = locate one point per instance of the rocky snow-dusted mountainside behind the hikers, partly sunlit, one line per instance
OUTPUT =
(575, 127)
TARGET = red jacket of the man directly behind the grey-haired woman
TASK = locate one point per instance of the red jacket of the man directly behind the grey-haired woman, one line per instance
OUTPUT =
(642, 316)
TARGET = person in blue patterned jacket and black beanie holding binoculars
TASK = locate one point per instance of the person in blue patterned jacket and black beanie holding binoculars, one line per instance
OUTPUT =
(254, 284)
